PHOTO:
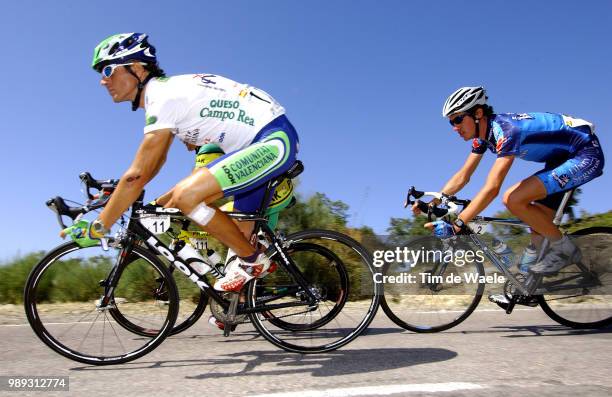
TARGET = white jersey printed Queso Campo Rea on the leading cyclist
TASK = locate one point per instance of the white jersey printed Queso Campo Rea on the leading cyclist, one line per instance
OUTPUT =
(205, 108)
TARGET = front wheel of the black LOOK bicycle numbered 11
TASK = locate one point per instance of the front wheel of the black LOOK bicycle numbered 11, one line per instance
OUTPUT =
(62, 305)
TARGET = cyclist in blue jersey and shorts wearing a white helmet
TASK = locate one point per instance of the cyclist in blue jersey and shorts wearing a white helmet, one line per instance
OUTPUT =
(566, 145)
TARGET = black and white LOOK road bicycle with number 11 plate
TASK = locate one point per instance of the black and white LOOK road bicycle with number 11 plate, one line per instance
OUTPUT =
(114, 302)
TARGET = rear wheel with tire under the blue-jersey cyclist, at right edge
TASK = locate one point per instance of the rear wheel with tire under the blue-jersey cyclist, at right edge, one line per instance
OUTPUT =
(584, 313)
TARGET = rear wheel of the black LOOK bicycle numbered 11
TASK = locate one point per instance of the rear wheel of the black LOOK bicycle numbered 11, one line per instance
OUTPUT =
(340, 271)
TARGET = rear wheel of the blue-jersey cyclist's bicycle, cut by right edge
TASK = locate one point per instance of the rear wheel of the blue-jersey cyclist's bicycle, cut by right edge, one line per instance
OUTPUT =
(589, 304)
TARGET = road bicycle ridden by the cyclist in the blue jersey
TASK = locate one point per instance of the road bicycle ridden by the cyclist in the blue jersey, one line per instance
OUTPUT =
(446, 288)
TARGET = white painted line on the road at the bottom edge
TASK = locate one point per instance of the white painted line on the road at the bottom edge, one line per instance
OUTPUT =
(380, 390)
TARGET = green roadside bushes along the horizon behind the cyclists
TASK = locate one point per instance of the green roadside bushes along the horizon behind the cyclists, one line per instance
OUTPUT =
(82, 275)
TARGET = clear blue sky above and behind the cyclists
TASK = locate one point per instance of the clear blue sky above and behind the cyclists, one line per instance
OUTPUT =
(362, 81)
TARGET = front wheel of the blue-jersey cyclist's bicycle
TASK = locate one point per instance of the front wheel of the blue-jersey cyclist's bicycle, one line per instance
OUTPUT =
(431, 294)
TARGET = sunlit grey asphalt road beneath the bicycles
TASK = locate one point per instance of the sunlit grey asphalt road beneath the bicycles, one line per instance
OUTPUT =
(491, 353)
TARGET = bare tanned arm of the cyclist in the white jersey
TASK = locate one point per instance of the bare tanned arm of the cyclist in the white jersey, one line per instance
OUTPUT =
(150, 156)
